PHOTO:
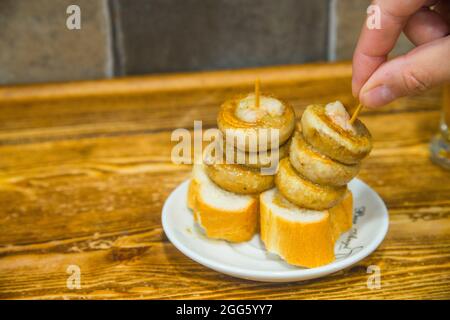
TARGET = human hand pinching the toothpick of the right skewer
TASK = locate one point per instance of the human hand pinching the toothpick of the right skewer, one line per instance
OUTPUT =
(377, 81)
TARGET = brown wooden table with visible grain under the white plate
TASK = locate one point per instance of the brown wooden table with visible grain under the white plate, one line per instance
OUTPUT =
(85, 169)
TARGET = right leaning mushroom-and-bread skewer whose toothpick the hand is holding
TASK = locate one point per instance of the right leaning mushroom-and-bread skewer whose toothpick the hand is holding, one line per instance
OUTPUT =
(311, 207)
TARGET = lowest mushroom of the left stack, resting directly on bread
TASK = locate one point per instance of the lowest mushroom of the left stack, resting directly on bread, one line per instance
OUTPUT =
(238, 178)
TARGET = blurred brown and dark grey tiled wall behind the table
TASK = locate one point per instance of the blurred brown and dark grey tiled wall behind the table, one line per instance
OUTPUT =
(133, 37)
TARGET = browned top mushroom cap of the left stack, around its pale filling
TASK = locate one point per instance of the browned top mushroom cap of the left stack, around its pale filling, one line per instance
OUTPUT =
(229, 123)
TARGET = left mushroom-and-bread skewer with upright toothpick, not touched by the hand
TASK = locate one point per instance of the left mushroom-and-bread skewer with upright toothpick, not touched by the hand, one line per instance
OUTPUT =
(224, 196)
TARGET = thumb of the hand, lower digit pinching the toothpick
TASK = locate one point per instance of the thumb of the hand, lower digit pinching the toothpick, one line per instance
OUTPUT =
(424, 67)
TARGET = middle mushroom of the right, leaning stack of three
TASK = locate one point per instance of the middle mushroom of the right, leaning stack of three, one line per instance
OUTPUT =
(319, 168)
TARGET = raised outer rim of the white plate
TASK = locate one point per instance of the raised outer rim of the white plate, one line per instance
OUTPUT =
(270, 276)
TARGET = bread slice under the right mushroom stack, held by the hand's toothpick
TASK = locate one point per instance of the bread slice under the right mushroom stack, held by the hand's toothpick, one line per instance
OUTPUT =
(302, 237)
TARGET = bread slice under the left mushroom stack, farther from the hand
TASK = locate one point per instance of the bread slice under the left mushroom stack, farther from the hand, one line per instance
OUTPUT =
(222, 214)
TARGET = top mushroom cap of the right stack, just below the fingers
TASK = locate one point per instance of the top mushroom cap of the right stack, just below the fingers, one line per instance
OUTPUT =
(331, 140)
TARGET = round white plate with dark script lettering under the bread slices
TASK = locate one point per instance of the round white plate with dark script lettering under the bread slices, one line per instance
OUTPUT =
(251, 261)
